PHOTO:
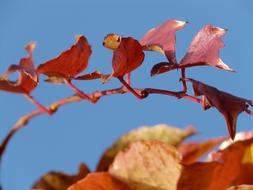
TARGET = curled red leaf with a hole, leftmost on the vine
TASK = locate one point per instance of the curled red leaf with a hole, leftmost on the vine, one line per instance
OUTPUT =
(28, 78)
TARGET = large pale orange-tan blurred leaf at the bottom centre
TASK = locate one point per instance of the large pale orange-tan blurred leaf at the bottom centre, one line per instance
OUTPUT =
(148, 165)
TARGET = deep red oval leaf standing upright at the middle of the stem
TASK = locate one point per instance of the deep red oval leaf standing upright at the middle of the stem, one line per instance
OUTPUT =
(127, 57)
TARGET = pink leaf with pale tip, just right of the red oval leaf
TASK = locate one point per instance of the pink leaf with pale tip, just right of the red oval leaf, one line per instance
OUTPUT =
(163, 38)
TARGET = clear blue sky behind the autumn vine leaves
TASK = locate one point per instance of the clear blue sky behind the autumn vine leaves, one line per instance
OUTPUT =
(80, 132)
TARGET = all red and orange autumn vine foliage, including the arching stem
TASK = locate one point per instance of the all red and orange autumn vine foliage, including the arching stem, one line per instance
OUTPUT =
(149, 157)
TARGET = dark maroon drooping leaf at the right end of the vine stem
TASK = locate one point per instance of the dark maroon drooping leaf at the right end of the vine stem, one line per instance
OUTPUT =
(229, 105)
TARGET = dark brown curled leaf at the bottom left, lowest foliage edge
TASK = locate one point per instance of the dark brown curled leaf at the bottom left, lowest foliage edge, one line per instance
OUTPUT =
(59, 180)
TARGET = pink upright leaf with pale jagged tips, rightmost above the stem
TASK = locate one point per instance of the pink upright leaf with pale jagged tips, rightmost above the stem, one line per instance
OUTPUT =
(204, 49)
